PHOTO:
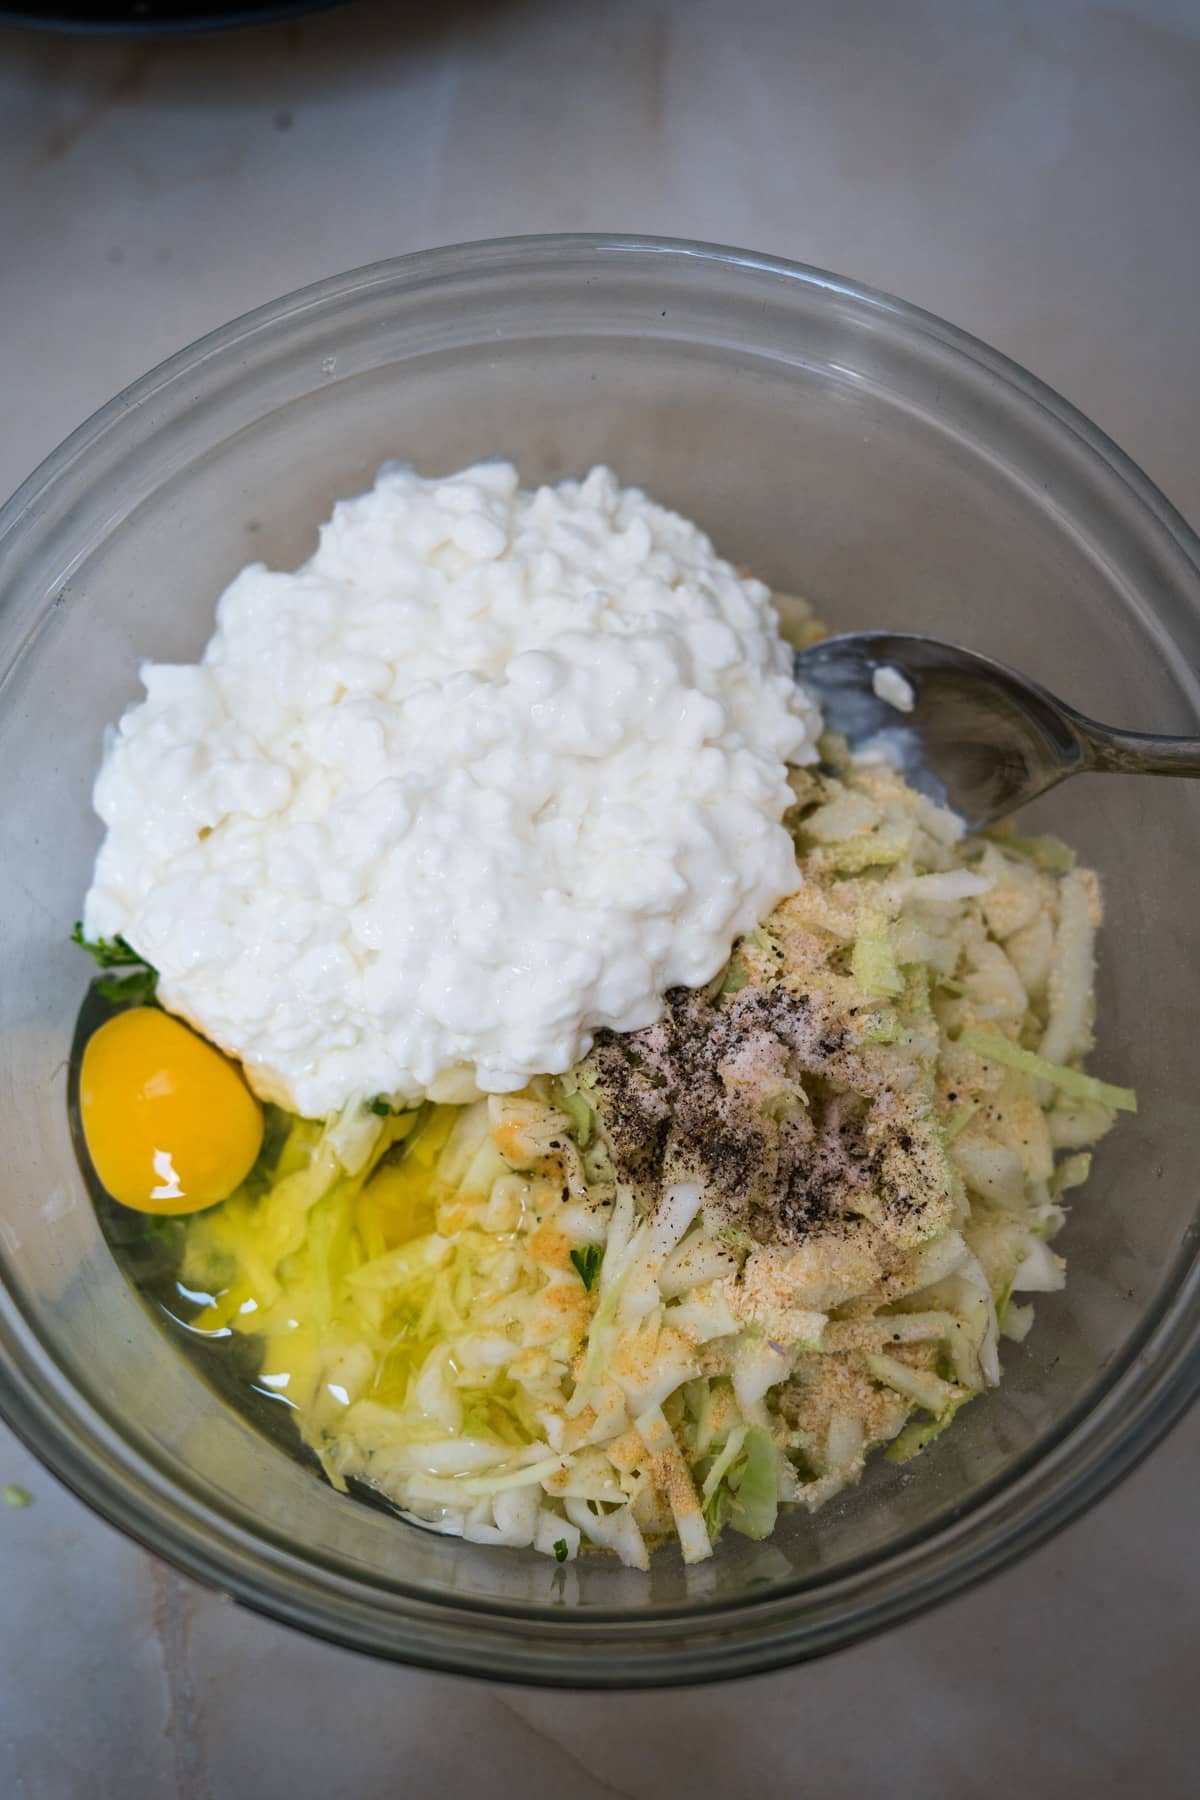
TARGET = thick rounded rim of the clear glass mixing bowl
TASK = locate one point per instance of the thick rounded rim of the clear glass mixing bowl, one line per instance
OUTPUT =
(1016, 1513)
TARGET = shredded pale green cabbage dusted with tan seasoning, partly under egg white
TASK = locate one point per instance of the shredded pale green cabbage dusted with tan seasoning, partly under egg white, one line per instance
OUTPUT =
(478, 1315)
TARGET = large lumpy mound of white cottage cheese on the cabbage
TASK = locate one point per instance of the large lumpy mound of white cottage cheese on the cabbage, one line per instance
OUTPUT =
(494, 769)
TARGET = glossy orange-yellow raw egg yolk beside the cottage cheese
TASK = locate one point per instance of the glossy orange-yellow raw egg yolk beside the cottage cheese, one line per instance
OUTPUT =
(170, 1122)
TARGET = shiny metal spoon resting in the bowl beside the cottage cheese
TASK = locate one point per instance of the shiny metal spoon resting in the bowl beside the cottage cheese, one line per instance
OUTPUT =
(980, 737)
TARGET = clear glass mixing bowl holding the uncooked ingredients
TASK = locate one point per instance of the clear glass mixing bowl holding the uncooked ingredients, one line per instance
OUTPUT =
(841, 445)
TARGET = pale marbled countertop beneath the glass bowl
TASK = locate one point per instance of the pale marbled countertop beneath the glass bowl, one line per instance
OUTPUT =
(1026, 170)
